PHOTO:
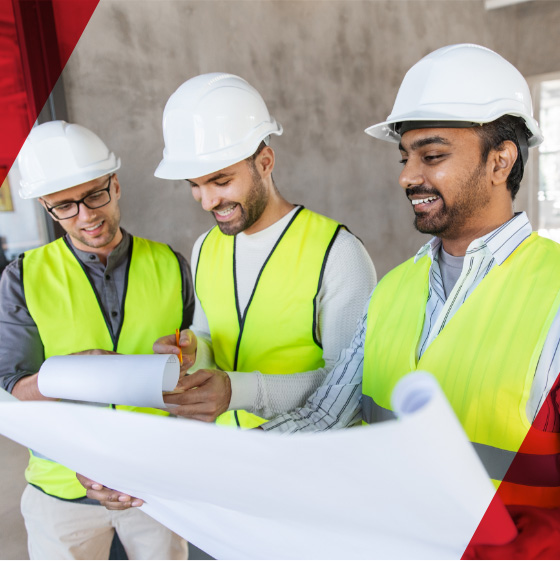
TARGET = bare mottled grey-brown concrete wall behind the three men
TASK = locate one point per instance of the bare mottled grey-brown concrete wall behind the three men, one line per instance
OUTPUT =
(327, 69)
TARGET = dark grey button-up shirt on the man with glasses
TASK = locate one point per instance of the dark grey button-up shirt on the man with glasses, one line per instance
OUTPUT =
(21, 348)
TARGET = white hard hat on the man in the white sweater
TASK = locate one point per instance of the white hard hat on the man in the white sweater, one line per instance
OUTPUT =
(211, 122)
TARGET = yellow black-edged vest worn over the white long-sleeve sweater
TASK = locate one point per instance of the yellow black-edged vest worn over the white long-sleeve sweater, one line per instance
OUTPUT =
(277, 332)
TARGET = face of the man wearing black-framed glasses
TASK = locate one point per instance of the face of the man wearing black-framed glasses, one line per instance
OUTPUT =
(95, 230)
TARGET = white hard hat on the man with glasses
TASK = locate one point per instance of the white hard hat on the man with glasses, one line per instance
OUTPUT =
(58, 155)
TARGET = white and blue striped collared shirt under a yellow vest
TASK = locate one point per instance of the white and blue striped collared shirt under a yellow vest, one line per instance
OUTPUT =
(337, 403)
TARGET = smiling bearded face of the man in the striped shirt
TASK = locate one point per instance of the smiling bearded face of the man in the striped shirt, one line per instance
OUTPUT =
(448, 186)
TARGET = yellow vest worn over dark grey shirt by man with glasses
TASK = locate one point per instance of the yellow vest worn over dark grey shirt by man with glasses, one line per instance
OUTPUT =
(64, 305)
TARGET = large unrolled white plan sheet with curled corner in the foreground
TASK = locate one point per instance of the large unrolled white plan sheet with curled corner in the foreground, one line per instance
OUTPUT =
(412, 488)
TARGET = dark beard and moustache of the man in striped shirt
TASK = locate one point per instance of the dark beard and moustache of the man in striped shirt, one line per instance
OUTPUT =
(449, 220)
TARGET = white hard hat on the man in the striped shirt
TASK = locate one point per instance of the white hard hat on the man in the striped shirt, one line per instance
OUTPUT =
(459, 85)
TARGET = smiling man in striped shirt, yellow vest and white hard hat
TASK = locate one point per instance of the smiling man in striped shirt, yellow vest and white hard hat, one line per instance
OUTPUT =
(478, 306)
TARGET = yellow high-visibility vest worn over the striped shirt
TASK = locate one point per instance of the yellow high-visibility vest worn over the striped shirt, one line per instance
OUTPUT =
(485, 357)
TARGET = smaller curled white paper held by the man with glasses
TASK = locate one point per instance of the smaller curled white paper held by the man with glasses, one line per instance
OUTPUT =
(136, 380)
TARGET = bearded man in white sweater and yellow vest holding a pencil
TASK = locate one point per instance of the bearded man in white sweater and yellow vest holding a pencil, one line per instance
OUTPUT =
(279, 288)
